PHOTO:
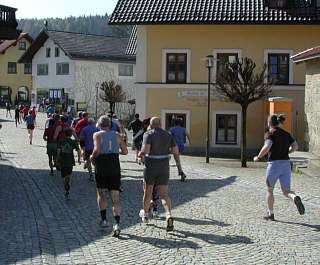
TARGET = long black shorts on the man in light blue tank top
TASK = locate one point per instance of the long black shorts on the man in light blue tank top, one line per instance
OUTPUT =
(108, 172)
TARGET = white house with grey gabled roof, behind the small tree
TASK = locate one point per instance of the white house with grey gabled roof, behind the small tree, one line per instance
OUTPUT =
(68, 68)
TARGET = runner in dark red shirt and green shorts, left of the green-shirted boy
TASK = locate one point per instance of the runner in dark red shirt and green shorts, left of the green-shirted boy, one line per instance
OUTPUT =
(51, 144)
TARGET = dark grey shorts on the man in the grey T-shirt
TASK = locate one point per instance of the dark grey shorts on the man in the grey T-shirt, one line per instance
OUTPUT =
(156, 171)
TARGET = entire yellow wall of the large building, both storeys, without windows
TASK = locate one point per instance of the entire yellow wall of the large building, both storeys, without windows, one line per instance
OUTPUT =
(202, 40)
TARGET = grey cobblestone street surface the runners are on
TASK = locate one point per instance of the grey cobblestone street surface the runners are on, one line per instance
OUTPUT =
(218, 214)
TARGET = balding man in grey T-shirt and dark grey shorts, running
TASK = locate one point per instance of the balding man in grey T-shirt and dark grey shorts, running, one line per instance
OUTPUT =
(156, 147)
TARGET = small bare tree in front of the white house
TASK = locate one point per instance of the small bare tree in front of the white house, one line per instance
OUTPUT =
(112, 93)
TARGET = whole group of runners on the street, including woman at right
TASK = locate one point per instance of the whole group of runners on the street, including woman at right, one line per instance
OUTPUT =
(101, 144)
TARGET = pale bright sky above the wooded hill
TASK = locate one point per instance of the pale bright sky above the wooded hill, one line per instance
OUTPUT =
(59, 8)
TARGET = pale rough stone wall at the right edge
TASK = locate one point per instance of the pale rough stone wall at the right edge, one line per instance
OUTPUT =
(312, 107)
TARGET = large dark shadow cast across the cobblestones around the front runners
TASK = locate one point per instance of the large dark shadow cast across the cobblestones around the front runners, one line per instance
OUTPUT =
(62, 226)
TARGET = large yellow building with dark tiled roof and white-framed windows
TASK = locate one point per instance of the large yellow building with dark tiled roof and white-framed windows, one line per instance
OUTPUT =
(174, 37)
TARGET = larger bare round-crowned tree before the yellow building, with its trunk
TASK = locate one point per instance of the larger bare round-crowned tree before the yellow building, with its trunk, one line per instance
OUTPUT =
(241, 85)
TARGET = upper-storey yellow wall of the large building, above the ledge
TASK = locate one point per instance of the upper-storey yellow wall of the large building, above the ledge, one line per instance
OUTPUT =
(202, 39)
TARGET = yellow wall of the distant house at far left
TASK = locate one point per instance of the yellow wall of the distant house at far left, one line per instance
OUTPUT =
(14, 81)
